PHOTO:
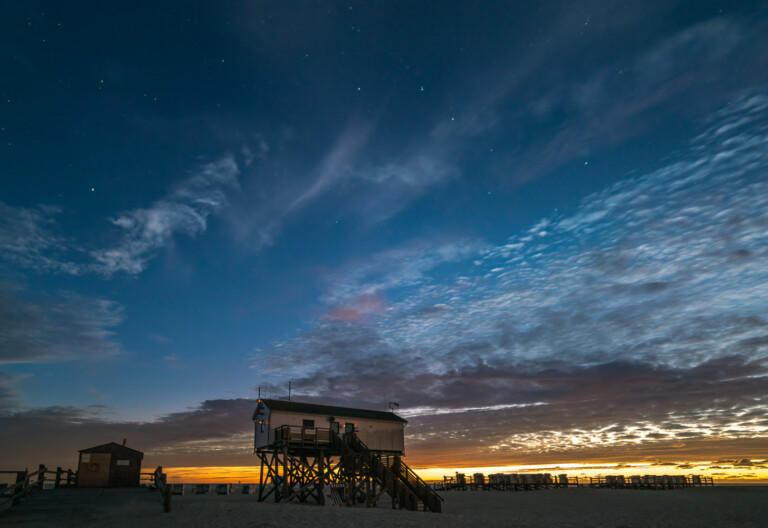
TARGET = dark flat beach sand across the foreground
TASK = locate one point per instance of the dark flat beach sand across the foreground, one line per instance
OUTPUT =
(721, 506)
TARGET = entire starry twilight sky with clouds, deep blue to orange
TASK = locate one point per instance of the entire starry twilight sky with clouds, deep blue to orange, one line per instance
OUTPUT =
(541, 228)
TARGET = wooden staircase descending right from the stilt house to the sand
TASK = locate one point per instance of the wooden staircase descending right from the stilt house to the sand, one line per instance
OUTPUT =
(407, 489)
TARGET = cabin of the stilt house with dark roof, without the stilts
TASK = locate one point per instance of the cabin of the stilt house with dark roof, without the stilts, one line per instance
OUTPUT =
(381, 431)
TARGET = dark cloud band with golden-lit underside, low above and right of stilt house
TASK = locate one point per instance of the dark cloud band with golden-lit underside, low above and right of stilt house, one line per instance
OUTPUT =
(535, 407)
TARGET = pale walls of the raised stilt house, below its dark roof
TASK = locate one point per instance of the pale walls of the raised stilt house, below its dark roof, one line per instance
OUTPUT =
(378, 435)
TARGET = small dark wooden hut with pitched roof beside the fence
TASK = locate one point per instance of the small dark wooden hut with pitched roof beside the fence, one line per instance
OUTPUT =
(109, 466)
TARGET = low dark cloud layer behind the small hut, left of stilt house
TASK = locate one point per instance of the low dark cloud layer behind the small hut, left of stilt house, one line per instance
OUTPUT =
(217, 432)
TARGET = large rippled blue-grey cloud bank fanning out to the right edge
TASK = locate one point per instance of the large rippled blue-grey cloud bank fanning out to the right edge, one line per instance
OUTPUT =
(638, 319)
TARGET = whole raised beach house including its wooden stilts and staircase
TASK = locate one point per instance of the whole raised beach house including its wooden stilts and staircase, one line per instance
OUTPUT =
(352, 455)
